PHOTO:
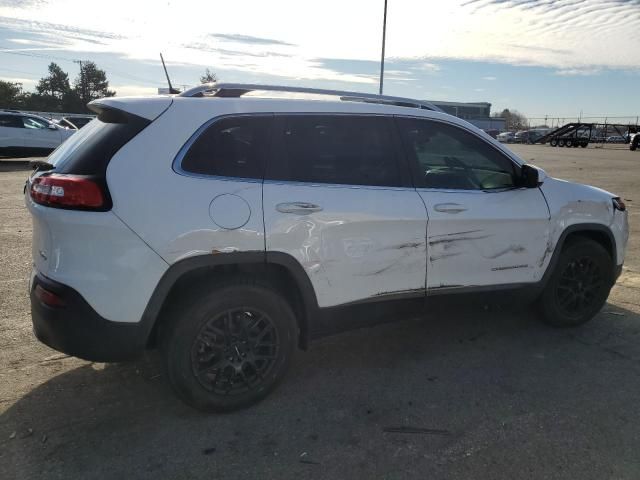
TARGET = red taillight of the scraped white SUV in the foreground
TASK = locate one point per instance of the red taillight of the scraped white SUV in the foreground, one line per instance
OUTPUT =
(67, 191)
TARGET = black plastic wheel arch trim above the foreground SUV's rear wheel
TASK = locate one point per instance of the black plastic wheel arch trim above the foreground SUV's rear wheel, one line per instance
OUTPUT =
(277, 269)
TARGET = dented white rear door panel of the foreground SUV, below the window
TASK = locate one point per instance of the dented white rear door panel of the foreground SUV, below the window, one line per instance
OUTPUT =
(362, 243)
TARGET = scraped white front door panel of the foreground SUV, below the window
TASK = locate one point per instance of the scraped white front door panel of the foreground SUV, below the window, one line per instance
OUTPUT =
(479, 238)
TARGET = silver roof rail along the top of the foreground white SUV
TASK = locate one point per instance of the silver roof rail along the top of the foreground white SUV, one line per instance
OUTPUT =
(239, 89)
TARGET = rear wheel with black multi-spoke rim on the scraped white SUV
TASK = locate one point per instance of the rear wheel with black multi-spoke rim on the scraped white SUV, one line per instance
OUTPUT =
(230, 347)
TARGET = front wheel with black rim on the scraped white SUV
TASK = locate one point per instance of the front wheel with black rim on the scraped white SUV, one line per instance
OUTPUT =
(579, 285)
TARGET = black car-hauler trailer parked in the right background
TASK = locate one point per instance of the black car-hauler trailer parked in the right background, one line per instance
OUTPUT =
(579, 134)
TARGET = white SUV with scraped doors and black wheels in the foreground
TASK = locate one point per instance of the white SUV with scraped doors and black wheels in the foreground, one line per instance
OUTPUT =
(232, 223)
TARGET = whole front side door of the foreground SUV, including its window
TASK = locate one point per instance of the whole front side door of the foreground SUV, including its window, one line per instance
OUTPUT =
(483, 228)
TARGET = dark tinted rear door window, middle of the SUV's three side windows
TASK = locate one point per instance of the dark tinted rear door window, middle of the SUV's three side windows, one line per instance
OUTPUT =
(335, 149)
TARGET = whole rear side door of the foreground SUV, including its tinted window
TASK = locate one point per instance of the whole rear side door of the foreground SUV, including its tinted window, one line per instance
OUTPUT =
(337, 200)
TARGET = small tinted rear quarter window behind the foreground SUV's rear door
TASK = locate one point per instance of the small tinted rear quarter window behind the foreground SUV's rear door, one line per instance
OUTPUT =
(230, 147)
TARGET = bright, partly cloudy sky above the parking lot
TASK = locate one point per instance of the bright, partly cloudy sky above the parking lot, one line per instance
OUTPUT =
(562, 58)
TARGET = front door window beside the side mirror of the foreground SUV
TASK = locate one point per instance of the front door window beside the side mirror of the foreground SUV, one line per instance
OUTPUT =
(448, 157)
